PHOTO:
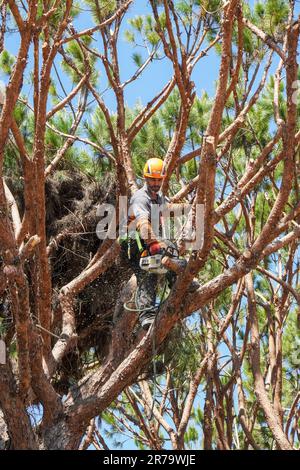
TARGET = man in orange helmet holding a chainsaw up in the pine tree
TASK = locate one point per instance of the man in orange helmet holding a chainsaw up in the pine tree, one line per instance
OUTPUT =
(146, 238)
